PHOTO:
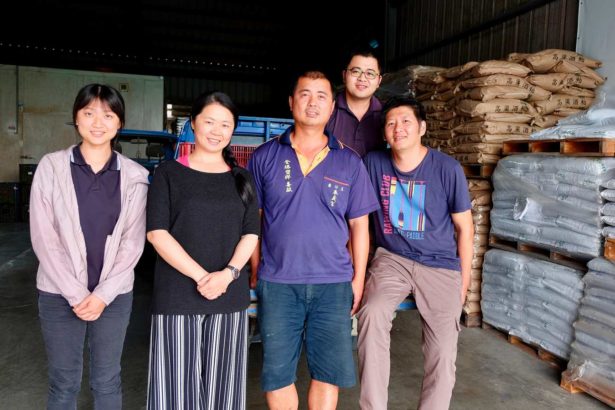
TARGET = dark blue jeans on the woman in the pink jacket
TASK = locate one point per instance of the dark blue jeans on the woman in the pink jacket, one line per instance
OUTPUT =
(64, 336)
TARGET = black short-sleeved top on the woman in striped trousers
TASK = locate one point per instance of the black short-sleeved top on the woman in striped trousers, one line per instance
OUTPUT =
(204, 213)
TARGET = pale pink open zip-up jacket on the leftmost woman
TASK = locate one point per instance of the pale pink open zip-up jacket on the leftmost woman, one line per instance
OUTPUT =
(57, 238)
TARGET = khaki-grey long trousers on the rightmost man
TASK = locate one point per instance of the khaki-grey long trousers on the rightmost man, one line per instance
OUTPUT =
(437, 292)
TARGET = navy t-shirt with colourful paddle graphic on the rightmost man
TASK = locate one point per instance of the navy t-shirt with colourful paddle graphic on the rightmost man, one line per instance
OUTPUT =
(414, 219)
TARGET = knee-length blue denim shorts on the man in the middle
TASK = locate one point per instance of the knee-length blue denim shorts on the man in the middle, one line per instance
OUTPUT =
(318, 316)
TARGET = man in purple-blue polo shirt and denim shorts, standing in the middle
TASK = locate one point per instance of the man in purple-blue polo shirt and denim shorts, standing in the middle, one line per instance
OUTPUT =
(315, 195)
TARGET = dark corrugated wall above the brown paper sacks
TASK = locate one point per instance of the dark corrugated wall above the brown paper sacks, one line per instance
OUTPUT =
(451, 32)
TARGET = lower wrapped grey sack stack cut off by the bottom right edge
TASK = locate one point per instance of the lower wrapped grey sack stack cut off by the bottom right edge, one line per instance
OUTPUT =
(593, 351)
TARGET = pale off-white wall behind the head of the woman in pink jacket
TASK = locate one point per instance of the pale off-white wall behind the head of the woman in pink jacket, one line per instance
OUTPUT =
(36, 109)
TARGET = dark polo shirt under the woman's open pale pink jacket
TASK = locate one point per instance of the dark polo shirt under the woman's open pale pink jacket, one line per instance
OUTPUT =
(99, 202)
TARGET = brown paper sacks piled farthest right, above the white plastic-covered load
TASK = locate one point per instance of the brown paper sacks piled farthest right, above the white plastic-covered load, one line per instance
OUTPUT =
(569, 76)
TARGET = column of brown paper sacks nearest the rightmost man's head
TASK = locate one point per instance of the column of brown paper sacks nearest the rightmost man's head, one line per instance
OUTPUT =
(492, 99)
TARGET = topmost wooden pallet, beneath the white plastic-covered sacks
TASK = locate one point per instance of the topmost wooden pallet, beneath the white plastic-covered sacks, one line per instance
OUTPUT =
(583, 147)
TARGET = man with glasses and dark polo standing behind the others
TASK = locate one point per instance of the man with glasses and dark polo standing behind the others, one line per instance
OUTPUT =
(356, 119)
